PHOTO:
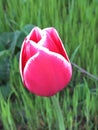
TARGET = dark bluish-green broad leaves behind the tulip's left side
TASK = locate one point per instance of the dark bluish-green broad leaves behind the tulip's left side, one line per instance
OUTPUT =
(10, 44)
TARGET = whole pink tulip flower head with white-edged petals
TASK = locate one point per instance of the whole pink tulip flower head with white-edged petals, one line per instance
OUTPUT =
(44, 64)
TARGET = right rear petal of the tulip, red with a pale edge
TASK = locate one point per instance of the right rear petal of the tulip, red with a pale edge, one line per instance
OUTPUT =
(56, 41)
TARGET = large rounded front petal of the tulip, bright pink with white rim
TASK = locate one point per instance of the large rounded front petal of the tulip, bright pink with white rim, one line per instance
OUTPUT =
(46, 73)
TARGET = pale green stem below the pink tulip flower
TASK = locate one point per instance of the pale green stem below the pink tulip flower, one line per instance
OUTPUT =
(58, 111)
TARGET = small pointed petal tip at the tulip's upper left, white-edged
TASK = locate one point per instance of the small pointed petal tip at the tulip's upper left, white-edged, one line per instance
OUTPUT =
(35, 35)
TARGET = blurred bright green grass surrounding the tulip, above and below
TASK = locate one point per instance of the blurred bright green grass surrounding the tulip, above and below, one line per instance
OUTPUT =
(77, 106)
